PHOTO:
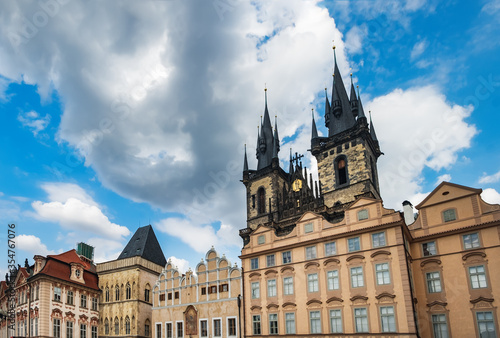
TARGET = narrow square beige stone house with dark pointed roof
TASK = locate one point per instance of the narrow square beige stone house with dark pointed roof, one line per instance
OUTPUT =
(126, 285)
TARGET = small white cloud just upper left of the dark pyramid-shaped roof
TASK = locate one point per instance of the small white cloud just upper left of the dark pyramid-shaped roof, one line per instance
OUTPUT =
(72, 213)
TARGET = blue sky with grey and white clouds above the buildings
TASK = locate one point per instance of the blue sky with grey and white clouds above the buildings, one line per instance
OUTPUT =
(117, 114)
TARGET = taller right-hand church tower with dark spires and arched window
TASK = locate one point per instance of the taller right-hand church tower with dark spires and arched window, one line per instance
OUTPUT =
(347, 158)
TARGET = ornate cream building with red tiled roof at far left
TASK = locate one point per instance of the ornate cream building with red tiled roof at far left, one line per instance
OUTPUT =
(56, 297)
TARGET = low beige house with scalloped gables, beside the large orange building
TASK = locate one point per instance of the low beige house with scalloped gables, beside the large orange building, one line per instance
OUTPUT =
(203, 303)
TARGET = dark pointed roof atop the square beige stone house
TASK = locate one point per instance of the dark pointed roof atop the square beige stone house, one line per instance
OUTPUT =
(144, 244)
